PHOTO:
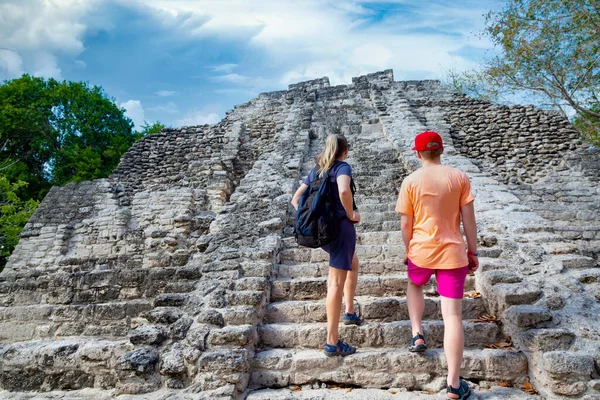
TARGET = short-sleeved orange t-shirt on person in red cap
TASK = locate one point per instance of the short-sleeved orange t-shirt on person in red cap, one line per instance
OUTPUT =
(433, 195)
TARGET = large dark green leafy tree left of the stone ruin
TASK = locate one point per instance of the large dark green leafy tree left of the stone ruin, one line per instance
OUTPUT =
(58, 132)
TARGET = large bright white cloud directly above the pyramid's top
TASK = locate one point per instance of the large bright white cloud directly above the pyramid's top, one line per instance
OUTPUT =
(314, 38)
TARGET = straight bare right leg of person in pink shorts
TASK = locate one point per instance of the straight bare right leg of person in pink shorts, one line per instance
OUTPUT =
(454, 338)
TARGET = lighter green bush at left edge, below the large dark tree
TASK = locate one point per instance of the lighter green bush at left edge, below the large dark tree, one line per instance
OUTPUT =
(14, 214)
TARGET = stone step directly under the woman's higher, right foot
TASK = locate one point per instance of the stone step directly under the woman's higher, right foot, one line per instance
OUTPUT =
(371, 334)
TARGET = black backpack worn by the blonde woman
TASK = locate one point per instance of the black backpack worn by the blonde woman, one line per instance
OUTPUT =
(316, 224)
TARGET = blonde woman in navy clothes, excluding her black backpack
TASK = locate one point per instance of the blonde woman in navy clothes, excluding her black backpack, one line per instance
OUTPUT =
(343, 263)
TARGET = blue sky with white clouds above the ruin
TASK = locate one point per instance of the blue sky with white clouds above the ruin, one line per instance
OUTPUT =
(186, 62)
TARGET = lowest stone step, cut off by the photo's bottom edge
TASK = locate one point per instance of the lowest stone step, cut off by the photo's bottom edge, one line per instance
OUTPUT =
(330, 392)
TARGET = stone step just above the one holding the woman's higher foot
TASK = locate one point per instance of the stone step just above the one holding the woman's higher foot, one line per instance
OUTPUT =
(376, 309)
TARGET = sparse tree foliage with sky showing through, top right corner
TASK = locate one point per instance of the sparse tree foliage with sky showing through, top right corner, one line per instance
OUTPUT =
(548, 49)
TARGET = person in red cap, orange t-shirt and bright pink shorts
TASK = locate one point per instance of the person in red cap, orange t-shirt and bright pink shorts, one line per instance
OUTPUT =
(432, 201)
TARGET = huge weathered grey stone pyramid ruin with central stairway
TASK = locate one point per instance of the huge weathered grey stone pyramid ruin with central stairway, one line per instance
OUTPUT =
(178, 276)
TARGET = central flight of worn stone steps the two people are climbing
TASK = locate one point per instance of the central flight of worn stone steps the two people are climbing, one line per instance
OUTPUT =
(291, 339)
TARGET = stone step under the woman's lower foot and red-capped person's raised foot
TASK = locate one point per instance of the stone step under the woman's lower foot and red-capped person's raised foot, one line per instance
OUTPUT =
(381, 368)
